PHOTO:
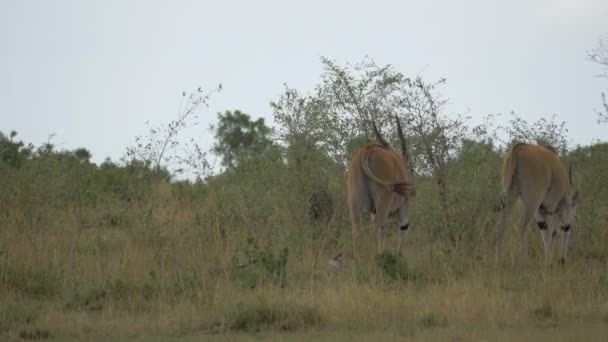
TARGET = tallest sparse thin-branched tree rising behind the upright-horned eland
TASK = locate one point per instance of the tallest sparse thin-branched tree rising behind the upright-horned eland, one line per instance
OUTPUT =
(338, 116)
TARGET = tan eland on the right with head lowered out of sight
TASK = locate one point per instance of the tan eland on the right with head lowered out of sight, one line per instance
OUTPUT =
(536, 176)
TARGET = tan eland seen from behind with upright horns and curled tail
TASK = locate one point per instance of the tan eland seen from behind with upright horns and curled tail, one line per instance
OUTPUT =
(379, 181)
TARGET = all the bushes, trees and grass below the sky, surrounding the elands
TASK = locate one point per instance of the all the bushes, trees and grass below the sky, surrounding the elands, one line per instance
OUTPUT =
(264, 244)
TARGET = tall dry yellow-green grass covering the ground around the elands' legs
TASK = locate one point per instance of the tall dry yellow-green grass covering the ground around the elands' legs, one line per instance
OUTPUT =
(198, 275)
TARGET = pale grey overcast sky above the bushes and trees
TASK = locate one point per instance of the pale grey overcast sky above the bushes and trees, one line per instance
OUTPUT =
(93, 72)
